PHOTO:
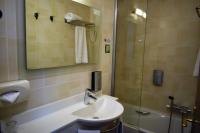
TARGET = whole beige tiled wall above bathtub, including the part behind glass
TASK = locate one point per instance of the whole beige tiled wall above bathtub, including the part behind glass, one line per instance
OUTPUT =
(171, 44)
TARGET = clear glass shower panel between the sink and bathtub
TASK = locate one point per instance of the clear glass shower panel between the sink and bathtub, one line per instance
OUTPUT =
(130, 43)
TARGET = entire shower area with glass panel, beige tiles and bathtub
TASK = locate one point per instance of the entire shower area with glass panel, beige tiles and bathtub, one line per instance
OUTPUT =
(154, 35)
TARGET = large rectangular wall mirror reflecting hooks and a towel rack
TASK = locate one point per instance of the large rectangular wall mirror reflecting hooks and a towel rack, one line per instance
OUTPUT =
(61, 33)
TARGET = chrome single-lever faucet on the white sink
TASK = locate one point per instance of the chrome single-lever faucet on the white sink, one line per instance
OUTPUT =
(89, 94)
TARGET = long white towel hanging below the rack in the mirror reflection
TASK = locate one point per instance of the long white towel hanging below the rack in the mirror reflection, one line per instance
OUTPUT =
(81, 45)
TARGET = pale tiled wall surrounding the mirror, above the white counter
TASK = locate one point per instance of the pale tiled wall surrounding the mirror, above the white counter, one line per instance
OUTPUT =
(49, 85)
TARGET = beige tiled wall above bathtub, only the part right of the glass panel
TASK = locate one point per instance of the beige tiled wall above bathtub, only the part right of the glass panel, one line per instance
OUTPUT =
(172, 42)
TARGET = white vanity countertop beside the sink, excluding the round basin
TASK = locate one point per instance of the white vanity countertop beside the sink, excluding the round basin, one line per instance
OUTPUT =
(51, 117)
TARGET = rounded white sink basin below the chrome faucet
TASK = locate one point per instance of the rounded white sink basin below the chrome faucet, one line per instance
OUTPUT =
(104, 109)
